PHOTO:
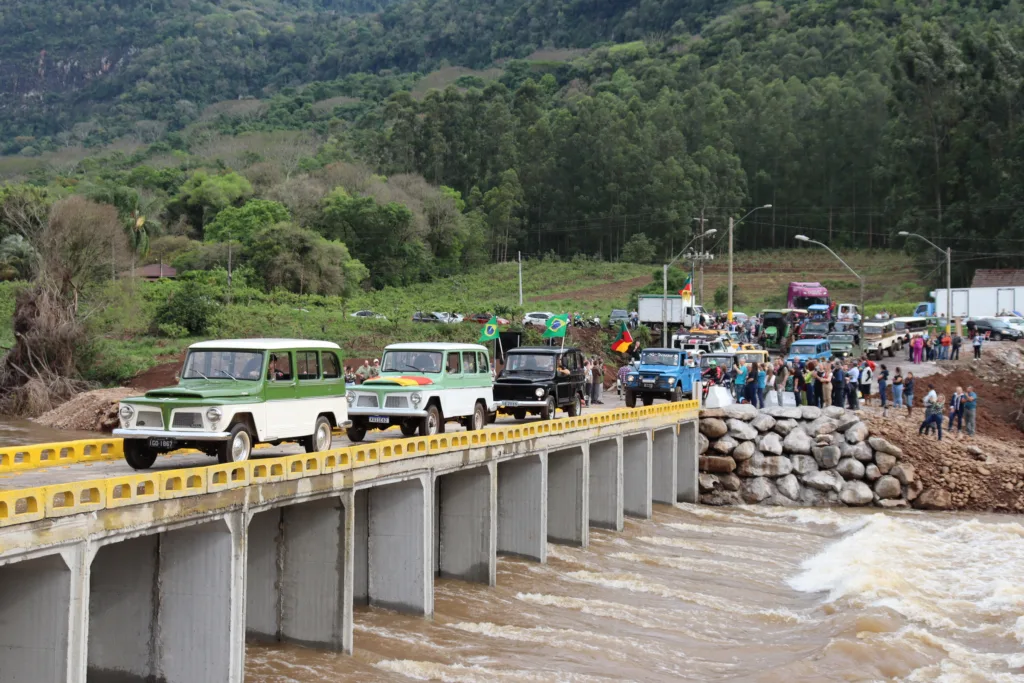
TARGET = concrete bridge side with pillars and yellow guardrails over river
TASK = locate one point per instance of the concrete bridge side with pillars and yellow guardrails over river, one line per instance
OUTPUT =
(162, 576)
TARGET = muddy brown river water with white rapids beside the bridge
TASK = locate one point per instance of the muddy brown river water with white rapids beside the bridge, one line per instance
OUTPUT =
(706, 594)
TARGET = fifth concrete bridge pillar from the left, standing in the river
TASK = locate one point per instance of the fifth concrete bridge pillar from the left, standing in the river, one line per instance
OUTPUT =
(466, 532)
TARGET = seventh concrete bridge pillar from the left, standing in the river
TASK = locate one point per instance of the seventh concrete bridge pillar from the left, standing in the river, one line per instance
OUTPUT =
(569, 498)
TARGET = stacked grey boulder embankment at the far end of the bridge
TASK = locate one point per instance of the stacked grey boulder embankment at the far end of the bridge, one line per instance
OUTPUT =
(802, 456)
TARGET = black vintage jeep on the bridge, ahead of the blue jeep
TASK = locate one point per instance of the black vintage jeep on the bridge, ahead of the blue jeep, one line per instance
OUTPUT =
(539, 380)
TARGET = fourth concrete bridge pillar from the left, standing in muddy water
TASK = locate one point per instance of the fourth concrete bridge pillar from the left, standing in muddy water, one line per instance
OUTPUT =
(393, 570)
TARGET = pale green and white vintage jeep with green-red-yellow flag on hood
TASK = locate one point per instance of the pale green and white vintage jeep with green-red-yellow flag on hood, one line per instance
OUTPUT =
(421, 388)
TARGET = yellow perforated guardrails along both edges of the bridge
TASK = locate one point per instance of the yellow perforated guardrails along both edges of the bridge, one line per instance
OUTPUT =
(21, 506)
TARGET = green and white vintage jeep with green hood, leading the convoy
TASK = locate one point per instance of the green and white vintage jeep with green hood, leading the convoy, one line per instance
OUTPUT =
(238, 393)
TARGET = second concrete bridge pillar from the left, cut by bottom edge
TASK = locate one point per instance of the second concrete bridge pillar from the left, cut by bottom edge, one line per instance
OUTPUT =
(167, 607)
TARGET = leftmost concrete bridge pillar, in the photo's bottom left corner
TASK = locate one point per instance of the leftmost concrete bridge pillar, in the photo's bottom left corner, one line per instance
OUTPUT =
(35, 611)
